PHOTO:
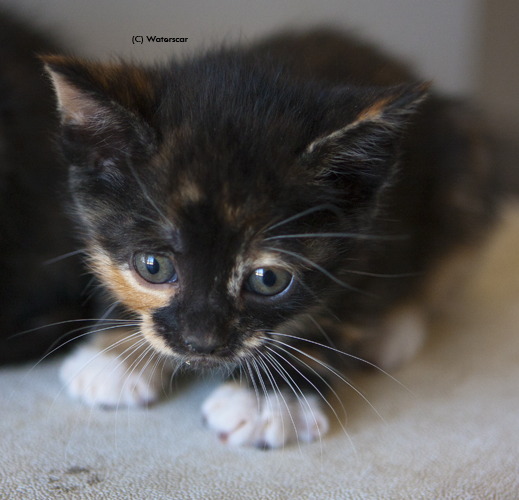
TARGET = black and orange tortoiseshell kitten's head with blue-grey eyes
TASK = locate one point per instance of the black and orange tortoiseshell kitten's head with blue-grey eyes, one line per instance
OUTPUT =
(204, 191)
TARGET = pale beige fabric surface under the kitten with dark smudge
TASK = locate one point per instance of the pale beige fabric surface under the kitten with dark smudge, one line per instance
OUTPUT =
(455, 437)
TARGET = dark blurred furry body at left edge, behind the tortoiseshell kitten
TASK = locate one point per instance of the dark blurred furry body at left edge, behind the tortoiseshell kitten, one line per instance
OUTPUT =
(33, 228)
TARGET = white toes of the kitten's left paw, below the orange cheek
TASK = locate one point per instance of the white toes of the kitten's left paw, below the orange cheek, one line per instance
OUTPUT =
(108, 380)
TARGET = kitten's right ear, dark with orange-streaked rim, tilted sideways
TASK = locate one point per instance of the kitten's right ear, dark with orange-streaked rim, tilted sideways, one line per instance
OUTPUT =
(361, 156)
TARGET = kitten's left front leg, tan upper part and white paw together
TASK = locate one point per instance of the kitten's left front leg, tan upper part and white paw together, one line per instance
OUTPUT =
(115, 369)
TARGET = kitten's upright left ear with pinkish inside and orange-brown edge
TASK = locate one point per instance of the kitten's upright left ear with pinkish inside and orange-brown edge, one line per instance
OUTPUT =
(106, 110)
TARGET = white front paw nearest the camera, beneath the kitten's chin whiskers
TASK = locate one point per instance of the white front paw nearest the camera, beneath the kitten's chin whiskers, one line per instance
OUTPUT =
(234, 413)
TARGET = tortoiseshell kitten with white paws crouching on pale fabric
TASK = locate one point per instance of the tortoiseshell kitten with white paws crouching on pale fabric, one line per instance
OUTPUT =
(264, 208)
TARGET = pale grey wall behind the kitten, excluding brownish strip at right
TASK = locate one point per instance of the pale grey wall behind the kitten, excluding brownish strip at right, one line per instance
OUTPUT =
(440, 37)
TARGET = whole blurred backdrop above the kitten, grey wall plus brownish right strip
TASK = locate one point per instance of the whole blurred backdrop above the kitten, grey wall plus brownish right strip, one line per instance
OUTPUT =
(468, 47)
